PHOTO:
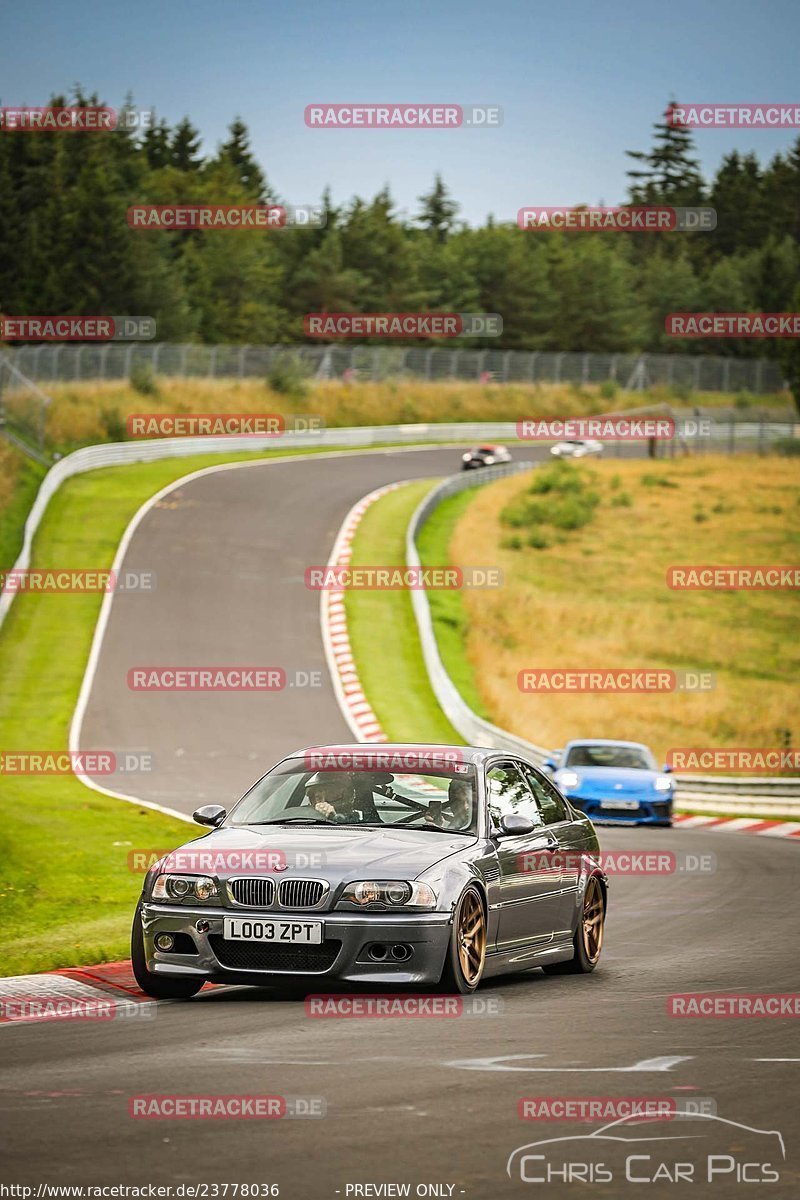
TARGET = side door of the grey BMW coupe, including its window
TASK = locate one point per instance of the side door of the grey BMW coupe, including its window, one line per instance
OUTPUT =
(530, 879)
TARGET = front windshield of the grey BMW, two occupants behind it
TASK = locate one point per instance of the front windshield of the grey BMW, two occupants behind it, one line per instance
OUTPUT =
(291, 795)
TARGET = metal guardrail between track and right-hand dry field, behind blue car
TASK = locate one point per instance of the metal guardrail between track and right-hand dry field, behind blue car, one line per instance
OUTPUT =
(718, 794)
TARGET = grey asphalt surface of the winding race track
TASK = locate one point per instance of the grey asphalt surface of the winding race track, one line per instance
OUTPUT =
(407, 1101)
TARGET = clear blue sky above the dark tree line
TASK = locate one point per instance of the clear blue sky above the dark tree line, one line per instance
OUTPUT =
(579, 82)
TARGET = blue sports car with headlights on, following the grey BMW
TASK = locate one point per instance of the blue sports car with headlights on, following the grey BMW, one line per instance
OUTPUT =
(615, 783)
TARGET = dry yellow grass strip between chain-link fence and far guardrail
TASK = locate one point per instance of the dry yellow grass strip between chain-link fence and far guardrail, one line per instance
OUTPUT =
(95, 412)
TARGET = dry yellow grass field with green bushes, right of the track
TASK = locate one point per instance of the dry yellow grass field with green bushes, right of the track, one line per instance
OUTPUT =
(599, 599)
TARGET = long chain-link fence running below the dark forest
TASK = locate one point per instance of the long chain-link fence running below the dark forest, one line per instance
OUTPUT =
(56, 363)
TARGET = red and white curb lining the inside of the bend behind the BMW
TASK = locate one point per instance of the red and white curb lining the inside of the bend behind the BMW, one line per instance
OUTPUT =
(356, 707)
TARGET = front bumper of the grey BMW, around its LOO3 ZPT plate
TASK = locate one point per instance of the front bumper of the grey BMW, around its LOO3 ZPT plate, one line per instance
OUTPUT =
(344, 955)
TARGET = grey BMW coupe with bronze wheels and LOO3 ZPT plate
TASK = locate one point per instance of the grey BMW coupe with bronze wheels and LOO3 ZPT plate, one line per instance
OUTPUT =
(377, 865)
